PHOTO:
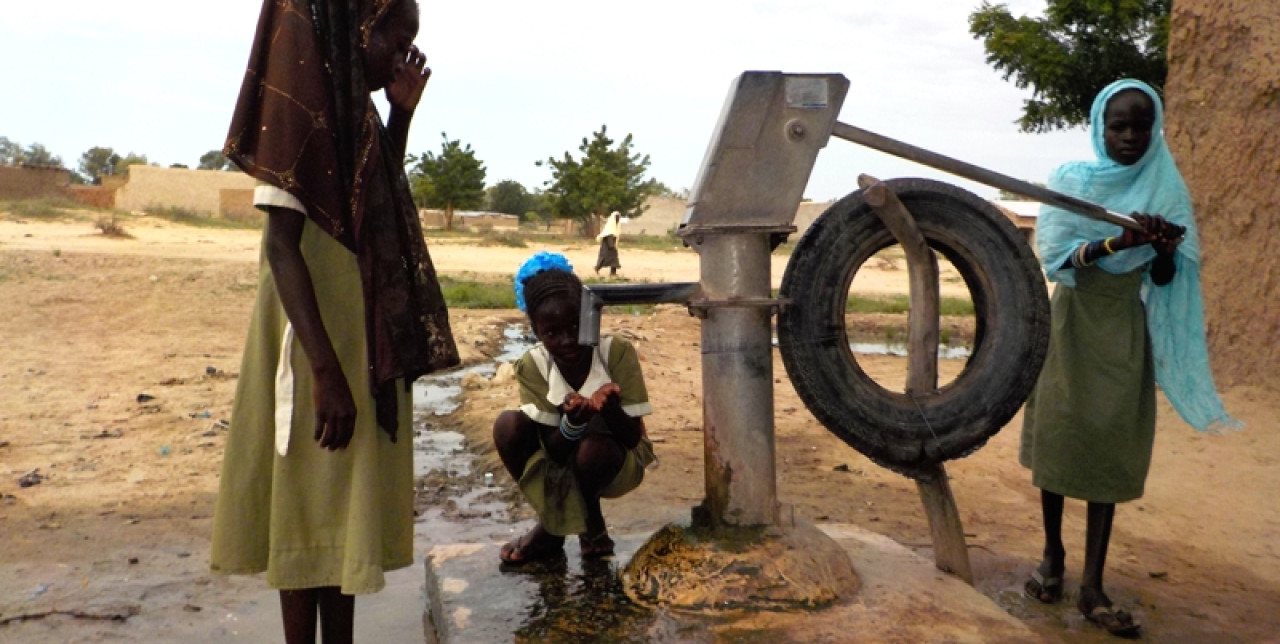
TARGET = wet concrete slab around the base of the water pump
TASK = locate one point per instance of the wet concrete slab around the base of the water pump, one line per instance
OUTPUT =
(903, 599)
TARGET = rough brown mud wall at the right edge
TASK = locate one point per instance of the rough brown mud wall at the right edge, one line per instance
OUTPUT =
(1223, 104)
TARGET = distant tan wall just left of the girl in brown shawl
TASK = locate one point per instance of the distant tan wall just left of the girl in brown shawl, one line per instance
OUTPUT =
(199, 191)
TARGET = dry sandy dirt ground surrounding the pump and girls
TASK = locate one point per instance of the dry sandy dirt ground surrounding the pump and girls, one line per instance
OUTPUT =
(120, 367)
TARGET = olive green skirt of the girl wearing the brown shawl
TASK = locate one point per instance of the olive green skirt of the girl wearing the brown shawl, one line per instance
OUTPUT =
(313, 518)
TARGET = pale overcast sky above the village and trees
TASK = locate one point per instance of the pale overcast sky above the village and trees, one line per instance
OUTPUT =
(523, 81)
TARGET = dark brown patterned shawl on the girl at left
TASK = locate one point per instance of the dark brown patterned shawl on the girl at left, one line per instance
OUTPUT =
(307, 124)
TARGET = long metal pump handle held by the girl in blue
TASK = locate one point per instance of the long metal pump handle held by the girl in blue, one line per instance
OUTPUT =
(982, 175)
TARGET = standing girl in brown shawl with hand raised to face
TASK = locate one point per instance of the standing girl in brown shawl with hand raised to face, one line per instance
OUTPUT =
(317, 481)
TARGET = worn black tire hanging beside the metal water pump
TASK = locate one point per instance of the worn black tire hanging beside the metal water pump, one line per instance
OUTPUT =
(1012, 336)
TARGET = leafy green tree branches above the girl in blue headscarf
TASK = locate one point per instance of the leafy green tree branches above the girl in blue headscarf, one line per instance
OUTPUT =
(1076, 51)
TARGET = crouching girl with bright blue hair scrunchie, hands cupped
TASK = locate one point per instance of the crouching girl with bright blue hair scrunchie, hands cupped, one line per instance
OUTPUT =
(579, 435)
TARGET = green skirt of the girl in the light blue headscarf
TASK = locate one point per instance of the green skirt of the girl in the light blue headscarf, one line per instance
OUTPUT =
(1091, 422)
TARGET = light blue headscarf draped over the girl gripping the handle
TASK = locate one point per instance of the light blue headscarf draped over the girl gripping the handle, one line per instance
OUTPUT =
(1176, 316)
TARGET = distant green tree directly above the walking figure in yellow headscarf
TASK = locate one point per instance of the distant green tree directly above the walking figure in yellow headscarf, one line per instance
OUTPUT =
(607, 179)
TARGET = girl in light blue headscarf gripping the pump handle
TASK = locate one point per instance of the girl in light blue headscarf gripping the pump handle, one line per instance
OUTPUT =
(1127, 316)
